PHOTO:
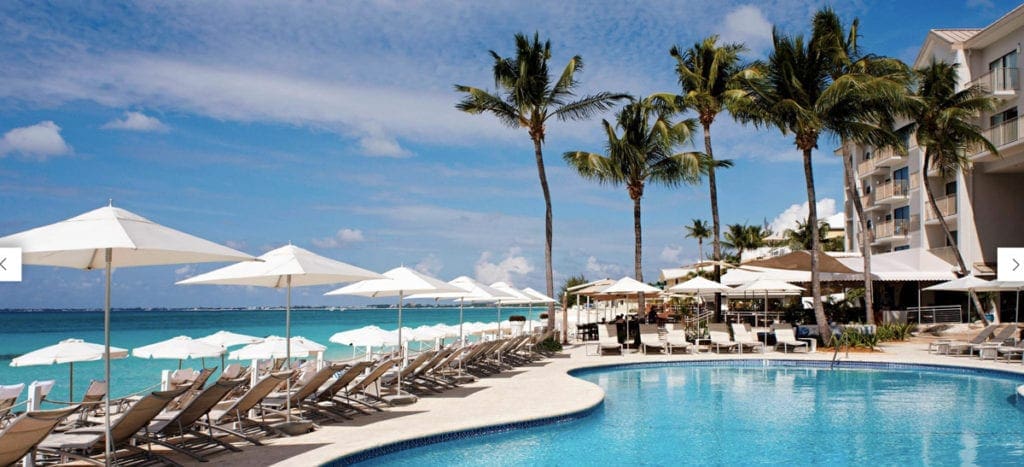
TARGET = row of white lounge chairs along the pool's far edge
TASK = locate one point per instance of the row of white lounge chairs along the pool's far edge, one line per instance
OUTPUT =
(719, 339)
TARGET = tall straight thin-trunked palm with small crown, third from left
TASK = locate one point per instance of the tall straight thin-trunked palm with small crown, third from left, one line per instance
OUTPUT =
(708, 75)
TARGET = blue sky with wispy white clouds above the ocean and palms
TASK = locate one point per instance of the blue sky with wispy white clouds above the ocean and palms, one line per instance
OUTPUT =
(332, 126)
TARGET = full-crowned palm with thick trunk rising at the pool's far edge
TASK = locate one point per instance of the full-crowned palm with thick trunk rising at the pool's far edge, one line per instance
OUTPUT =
(794, 93)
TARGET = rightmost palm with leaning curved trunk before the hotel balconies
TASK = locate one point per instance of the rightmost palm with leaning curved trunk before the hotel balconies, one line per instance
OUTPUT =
(943, 123)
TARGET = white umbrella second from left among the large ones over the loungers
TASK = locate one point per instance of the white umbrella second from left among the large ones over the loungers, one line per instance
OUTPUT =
(285, 268)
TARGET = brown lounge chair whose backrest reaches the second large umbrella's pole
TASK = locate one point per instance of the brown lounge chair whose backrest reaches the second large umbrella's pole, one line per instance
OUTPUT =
(233, 416)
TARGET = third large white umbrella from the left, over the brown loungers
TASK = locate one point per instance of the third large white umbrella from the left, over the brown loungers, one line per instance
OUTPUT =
(397, 283)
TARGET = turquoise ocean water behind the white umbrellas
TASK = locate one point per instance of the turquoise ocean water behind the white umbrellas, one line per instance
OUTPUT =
(24, 331)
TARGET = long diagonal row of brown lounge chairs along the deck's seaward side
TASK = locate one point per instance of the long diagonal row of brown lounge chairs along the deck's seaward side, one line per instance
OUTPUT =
(198, 421)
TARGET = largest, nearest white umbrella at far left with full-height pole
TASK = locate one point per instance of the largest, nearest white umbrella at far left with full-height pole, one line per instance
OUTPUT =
(109, 238)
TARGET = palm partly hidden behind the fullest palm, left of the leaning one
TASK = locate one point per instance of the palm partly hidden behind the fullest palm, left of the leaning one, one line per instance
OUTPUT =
(848, 59)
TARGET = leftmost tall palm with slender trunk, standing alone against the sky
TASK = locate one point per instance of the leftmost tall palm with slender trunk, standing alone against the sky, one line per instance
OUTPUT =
(528, 98)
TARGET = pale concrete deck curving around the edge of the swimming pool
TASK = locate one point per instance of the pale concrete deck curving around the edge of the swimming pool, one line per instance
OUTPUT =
(541, 391)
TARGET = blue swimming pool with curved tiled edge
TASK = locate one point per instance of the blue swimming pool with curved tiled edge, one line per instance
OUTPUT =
(747, 413)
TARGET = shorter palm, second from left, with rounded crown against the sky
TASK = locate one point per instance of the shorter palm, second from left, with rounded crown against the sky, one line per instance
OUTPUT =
(642, 155)
